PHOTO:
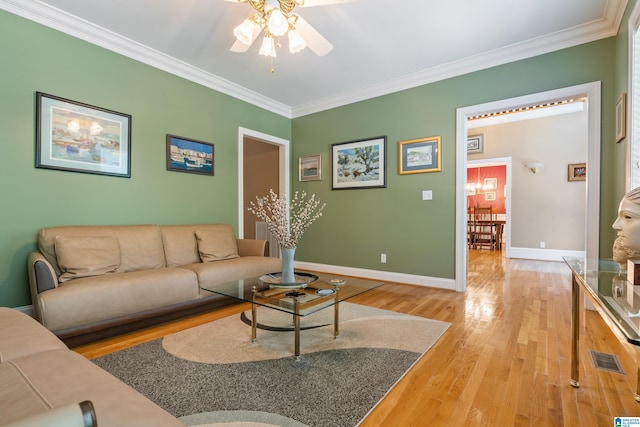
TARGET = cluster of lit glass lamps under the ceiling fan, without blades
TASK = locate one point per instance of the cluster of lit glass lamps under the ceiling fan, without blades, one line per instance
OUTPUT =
(275, 18)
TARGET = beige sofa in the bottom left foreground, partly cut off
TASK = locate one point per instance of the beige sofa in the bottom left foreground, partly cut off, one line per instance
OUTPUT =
(43, 382)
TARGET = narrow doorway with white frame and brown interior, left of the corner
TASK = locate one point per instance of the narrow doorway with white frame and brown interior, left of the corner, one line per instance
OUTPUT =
(263, 164)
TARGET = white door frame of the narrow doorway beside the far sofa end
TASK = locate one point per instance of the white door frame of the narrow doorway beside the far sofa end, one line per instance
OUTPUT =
(284, 167)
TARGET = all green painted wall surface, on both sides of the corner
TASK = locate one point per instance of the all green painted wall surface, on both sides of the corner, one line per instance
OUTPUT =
(357, 225)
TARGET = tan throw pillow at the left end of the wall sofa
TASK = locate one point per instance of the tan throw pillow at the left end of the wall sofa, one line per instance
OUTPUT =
(84, 256)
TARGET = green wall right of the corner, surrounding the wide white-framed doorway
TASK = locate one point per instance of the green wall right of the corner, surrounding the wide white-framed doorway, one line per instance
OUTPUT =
(418, 236)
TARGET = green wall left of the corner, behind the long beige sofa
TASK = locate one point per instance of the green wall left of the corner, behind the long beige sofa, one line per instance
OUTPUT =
(36, 58)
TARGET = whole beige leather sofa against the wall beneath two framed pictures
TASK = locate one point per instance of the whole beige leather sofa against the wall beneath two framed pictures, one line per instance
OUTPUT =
(91, 282)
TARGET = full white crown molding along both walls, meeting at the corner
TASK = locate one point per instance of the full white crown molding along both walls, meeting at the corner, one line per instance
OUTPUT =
(57, 19)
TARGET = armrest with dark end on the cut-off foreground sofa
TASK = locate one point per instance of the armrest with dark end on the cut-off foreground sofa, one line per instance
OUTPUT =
(73, 415)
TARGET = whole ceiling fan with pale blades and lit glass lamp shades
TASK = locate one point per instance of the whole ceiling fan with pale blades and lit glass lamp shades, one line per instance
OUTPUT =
(276, 18)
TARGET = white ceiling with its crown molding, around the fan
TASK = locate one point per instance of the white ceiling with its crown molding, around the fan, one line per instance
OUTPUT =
(380, 46)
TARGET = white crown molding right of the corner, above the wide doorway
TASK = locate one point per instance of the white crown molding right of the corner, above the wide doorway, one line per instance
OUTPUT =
(595, 30)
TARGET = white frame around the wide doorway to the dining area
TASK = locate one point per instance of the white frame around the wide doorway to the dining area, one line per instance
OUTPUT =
(592, 223)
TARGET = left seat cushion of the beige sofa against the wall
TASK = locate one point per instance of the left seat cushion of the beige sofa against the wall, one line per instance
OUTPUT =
(95, 299)
